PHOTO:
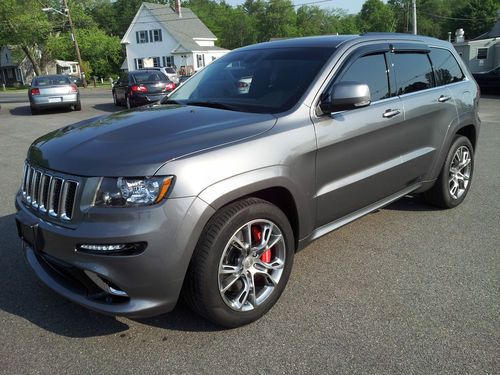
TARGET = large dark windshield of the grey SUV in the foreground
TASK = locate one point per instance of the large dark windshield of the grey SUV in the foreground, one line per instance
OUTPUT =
(262, 81)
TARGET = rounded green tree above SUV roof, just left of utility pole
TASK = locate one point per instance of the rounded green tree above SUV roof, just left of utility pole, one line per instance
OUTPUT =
(376, 16)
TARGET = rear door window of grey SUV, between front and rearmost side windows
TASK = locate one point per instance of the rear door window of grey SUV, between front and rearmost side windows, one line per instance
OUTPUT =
(413, 72)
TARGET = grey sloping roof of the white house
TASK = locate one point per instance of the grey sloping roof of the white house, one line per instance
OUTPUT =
(184, 29)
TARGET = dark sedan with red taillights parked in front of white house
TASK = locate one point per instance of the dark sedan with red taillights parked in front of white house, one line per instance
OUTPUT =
(141, 87)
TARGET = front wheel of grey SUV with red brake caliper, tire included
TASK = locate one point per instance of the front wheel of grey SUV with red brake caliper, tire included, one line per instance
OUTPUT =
(241, 264)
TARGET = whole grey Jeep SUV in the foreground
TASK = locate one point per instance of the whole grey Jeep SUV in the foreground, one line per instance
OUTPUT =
(210, 194)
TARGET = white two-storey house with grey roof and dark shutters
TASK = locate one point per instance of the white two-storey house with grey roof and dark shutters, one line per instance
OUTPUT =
(162, 36)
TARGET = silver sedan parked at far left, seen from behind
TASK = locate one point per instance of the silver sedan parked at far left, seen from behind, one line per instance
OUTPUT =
(53, 91)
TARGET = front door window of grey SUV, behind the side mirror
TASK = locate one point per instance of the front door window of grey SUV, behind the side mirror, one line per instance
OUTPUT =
(371, 70)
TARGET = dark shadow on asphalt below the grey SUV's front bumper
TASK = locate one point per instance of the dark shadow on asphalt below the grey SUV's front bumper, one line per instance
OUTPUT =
(23, 295)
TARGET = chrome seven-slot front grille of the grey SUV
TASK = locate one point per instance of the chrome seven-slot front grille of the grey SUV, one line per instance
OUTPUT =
(48, 193)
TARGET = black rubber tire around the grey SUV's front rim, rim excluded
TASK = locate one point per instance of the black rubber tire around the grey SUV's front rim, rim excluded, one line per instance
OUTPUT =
(201, 288)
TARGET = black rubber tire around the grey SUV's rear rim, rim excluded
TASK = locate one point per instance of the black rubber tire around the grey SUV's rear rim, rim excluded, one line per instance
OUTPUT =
(440, 195)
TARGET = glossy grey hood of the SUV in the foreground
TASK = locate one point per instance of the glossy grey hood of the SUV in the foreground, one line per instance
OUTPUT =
(137, 143)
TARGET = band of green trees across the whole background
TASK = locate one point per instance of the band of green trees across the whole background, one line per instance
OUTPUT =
(44, 35)
